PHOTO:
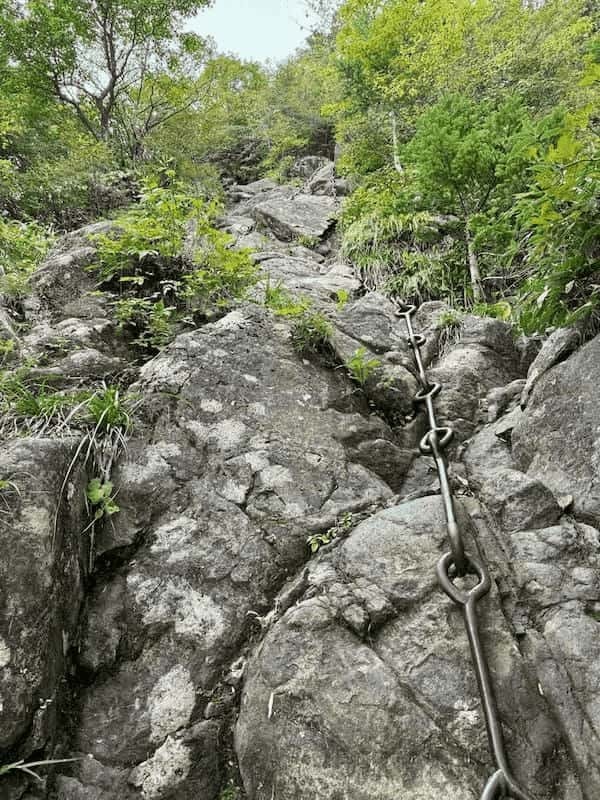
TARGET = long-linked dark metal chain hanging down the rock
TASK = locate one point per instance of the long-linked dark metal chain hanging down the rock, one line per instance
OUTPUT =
(458, 563)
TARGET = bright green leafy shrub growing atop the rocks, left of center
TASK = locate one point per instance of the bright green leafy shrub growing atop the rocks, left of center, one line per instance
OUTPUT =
(168, 265)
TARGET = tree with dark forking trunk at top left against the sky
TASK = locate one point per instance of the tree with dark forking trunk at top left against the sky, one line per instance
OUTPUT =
(116, 63)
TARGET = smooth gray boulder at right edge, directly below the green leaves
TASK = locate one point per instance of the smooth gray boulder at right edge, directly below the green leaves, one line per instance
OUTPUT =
(558, 437)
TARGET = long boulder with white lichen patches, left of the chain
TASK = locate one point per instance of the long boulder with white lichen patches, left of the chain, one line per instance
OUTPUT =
(245, 456)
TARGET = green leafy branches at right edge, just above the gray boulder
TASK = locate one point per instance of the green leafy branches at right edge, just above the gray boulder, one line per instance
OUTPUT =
(558, 222)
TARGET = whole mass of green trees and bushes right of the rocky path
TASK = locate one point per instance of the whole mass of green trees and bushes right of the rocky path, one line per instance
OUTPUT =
(455, 111)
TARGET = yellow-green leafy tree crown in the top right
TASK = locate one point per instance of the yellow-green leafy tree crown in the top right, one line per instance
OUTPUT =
(399, 57)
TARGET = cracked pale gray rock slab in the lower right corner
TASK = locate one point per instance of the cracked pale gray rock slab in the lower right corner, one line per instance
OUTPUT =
(557, 575)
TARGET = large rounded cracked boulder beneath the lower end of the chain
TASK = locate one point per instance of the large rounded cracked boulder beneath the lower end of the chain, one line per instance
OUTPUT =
(326, 712)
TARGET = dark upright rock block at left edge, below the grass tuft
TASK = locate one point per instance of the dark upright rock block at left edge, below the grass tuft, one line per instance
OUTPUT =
(42, 517)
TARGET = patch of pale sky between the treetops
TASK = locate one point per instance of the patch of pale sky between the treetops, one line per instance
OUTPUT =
(256, 30)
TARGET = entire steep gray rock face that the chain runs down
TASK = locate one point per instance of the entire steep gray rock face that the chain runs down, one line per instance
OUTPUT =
(208, 654)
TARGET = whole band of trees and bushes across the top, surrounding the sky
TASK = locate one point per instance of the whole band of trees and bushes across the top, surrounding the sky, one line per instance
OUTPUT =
(468, 130)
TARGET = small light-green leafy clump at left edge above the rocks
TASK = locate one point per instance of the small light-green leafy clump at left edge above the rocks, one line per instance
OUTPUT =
(22, 247)
